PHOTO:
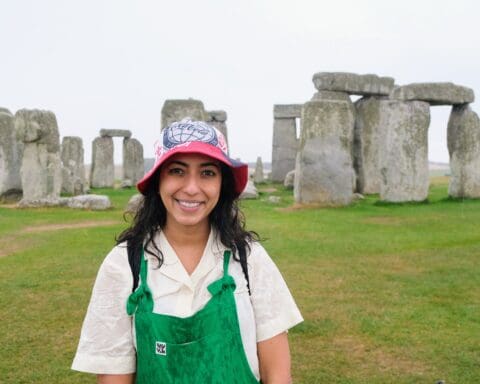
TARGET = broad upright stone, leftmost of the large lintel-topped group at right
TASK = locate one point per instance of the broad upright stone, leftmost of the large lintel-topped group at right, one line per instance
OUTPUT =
(324, 168)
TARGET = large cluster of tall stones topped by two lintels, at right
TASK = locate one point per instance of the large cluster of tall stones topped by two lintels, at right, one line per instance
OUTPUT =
(377, 145)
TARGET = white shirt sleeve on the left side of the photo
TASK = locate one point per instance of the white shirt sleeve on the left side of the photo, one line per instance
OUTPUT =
(106, 342)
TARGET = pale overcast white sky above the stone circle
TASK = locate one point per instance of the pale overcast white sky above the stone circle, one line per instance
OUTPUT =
(112, 63)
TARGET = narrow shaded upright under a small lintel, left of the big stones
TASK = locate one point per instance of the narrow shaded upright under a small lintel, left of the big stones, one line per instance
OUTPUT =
(284, 148)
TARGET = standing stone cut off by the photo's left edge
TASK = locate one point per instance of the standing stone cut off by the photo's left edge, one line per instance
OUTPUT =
(10, 156)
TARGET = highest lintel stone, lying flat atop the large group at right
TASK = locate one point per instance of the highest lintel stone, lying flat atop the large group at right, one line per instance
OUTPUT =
(352, 83)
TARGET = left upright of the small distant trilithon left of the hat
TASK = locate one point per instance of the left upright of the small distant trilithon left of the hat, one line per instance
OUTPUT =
(102, 168)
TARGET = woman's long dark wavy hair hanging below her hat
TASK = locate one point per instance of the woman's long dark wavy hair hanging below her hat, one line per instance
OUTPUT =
(151, 216)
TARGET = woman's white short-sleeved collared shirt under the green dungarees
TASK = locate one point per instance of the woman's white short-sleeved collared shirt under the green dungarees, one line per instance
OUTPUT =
(107, 341)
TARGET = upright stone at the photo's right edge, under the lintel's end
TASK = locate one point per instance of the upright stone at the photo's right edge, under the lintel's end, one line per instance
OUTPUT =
(463, 141)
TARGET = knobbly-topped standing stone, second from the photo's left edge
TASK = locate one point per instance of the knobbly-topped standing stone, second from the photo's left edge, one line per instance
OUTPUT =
(41, 169)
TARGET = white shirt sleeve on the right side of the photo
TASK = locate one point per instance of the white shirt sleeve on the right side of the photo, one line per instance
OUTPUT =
(274, 307)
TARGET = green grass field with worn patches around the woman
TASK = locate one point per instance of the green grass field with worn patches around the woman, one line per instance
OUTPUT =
(390, 293)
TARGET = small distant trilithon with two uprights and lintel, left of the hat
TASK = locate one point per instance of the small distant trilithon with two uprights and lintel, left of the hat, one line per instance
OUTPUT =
(102, 168)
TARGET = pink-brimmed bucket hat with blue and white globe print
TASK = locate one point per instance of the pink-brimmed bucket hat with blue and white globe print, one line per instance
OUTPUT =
(189, 136)
